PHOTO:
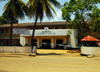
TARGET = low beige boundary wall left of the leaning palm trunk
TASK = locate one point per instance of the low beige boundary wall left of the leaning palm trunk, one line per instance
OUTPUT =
(15, 49)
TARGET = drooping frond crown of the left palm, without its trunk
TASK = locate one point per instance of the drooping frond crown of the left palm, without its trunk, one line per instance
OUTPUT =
(18, 8)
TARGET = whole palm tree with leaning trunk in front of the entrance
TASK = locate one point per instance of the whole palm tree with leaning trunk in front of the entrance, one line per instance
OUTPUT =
(37, 9)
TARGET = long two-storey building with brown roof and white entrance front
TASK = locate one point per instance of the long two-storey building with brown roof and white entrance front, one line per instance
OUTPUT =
(57, 34)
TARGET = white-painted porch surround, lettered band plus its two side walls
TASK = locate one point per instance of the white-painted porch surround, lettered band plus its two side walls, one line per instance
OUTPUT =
(53, 32)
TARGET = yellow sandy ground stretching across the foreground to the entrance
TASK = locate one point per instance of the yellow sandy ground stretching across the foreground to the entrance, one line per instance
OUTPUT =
(49, 61)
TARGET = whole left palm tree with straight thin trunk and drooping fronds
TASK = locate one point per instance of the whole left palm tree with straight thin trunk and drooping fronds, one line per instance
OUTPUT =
(14, 9)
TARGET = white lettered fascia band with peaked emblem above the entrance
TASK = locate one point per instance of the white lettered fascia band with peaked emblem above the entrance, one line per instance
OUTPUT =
(50, 32)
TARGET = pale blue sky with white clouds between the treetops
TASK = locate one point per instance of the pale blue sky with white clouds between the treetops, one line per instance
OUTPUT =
(57, 17)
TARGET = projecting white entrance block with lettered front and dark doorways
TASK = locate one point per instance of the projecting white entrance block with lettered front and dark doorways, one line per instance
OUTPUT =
(50, 36)
